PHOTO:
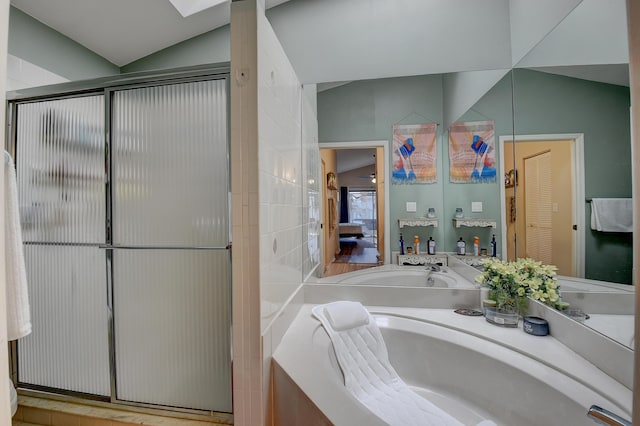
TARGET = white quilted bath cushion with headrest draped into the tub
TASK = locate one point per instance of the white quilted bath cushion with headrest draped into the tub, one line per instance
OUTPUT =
(368, 374)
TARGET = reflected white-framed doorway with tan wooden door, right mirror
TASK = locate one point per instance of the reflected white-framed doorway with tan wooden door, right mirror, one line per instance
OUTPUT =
(542, 213)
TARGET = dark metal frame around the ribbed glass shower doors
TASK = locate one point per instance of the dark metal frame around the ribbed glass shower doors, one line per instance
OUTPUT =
(108, 86)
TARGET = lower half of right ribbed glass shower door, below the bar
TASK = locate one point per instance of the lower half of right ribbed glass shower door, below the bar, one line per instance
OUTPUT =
(172, 310)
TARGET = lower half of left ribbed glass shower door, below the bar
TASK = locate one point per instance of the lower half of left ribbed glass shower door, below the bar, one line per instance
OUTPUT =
(68, 347)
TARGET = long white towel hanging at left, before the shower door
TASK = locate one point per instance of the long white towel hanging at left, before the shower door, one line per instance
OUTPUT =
(18, 315)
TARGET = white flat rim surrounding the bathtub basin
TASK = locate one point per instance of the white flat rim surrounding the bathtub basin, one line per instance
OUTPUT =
(298, 357)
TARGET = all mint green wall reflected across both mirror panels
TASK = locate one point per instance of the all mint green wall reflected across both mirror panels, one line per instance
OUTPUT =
(544, 103)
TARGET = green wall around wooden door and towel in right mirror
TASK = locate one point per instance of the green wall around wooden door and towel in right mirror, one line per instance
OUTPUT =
(547, 103)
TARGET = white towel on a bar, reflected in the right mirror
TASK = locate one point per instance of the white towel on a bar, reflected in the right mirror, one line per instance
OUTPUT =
(612, 214)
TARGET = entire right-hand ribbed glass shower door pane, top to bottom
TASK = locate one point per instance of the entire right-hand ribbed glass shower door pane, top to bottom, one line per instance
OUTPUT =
(171, 268)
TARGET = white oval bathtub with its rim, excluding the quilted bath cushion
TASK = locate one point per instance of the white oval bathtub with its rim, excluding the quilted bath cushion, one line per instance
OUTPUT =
(469, 368)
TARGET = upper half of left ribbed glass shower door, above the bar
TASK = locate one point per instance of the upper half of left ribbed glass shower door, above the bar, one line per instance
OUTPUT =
(61, 170)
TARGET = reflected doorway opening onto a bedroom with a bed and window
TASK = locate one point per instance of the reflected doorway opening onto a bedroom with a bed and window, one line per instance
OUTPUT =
(356, 215)
